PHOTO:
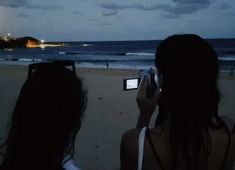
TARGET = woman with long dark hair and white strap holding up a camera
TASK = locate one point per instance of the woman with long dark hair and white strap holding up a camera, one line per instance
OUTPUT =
(189, 134)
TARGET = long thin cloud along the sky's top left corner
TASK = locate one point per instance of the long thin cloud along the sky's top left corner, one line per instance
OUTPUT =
(25, 3)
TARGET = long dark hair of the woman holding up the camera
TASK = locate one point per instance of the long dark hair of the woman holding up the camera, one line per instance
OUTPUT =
(188, 68)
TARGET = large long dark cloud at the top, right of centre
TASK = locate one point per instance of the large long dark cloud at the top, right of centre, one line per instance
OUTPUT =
(178, 7)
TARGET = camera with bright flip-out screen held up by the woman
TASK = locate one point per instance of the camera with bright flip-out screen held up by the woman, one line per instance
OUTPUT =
(152, 79)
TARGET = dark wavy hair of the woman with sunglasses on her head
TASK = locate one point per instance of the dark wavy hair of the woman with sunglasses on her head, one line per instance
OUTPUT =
(45, 121)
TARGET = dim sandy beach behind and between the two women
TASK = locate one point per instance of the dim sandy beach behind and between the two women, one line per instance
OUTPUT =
(110, 110)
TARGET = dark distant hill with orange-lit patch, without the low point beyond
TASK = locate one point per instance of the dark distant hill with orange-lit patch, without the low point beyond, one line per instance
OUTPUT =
(22, 42)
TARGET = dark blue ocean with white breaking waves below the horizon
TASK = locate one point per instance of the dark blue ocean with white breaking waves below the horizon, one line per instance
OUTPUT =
(115, 54)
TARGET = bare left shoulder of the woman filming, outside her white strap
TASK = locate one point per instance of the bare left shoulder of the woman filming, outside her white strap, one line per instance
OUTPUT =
(129, 149)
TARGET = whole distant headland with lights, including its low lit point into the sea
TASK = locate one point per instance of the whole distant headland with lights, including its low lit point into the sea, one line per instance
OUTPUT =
(24, 42)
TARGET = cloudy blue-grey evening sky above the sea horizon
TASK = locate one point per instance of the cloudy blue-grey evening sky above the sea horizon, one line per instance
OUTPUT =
(95, 20)
